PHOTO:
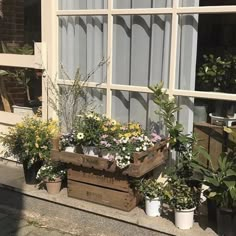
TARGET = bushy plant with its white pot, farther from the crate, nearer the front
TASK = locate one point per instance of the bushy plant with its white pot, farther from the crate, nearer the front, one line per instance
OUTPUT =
(183, 199)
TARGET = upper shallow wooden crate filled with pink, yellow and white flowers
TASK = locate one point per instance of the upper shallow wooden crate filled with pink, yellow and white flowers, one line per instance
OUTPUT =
(143, 162)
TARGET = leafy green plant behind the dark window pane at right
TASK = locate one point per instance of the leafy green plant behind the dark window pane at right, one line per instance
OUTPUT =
(218, 74)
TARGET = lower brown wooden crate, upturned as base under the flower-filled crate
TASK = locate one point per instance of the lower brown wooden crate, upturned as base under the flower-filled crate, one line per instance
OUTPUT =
(106, 188)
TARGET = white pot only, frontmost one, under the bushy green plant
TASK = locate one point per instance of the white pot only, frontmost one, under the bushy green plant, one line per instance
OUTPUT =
(184, 218)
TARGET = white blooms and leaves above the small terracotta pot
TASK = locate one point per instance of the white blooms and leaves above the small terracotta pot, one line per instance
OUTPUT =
(51, 171)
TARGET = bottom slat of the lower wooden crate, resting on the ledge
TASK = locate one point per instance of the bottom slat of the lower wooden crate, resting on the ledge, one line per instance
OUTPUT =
(113, 198)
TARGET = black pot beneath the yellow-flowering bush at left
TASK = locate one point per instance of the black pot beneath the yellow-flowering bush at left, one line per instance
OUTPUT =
(31, 172)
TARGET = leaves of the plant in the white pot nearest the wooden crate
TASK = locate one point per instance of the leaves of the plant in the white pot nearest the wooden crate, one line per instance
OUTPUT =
(150, 188)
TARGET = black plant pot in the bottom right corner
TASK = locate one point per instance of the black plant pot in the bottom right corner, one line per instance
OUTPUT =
(226, 222)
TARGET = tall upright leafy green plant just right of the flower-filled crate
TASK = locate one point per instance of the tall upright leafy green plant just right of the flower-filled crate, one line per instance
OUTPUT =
(182, 143)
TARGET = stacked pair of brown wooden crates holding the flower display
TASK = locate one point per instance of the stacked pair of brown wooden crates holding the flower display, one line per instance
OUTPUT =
(99, 180)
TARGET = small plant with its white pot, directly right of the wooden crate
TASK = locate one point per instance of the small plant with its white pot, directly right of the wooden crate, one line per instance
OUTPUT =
(153, 192)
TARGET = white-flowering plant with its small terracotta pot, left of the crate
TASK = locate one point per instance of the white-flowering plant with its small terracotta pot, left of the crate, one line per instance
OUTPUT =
(52, 174)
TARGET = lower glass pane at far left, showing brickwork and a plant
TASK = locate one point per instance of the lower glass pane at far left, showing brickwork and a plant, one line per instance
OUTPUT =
(20, 87)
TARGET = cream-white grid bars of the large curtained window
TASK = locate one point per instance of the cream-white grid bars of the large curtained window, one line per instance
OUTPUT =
(110, 12)
